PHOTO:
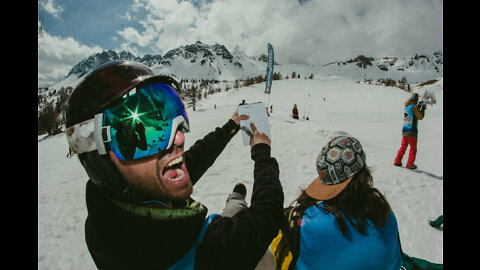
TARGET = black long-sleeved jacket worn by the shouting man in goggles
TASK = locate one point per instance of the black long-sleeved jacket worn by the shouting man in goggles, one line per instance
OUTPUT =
(118, 239)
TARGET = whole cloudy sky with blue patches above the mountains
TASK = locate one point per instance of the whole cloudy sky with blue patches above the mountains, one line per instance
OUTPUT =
(301, 31)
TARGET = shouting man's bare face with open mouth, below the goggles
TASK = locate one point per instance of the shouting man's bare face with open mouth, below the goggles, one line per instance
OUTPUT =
(162, 176)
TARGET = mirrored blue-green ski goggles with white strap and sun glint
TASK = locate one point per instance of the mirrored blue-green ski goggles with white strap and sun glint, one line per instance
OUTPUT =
(142, 125)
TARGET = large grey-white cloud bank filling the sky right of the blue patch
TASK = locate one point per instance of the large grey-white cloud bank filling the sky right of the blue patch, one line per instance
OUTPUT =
(315, 33)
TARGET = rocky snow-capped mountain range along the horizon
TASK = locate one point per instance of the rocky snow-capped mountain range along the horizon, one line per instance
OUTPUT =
(202, 61)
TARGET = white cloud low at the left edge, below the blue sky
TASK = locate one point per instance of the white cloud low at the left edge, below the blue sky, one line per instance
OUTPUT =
(56, 56)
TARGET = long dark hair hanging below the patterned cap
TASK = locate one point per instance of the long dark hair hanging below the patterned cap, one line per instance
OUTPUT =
(358, 202)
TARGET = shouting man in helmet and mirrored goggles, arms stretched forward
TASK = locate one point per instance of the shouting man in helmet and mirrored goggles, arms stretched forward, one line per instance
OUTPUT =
(127, 126)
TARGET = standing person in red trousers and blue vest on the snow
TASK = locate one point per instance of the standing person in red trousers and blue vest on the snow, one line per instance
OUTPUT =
(412, 114)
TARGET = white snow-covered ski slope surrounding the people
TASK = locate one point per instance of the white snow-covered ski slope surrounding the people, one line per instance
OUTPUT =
(372, 113)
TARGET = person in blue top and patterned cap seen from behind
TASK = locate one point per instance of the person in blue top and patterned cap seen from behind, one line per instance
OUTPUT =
(340, 221)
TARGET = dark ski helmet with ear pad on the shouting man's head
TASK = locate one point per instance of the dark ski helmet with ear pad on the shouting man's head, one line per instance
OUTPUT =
(102, 88)
